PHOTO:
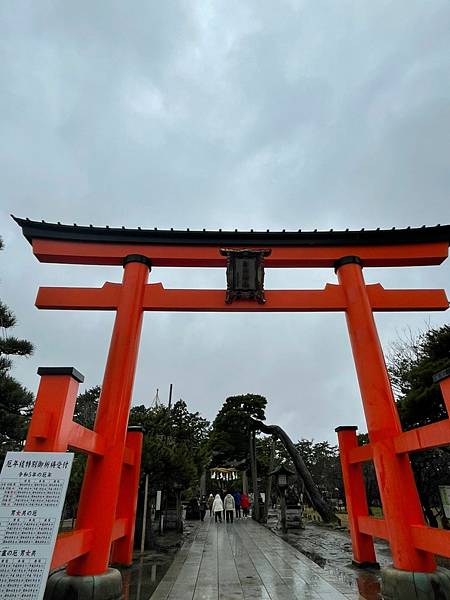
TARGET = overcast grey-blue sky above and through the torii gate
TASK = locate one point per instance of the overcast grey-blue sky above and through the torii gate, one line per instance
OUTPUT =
(289, 114)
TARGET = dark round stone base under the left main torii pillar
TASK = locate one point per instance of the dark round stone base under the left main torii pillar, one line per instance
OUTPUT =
(107, 586)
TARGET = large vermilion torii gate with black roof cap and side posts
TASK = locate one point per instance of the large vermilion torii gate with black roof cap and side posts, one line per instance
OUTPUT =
(105, 513)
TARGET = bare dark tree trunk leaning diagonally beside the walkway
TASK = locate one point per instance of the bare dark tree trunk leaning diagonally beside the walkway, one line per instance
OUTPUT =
(318, 502)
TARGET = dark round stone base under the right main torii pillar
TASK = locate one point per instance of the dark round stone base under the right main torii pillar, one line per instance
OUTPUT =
(408, 585)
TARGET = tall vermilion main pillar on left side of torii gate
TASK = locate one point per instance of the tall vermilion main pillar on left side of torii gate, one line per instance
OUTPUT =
(100, 491)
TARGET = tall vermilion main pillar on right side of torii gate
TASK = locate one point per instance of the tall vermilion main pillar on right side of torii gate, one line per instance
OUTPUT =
(401, 504)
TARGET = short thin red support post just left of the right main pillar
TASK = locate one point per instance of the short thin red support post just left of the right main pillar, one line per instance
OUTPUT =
(355, 495)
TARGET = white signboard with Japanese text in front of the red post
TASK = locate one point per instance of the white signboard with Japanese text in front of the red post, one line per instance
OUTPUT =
(33, 488)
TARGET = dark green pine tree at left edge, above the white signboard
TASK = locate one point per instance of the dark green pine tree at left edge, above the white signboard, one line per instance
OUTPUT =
(15, 400)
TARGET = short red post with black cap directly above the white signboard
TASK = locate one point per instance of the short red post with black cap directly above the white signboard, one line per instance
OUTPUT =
(53, 410)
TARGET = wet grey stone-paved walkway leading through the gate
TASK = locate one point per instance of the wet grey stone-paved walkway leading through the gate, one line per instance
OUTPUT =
(241, 561)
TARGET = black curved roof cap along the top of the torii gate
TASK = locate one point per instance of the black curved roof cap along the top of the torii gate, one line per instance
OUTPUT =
(189, 237)
